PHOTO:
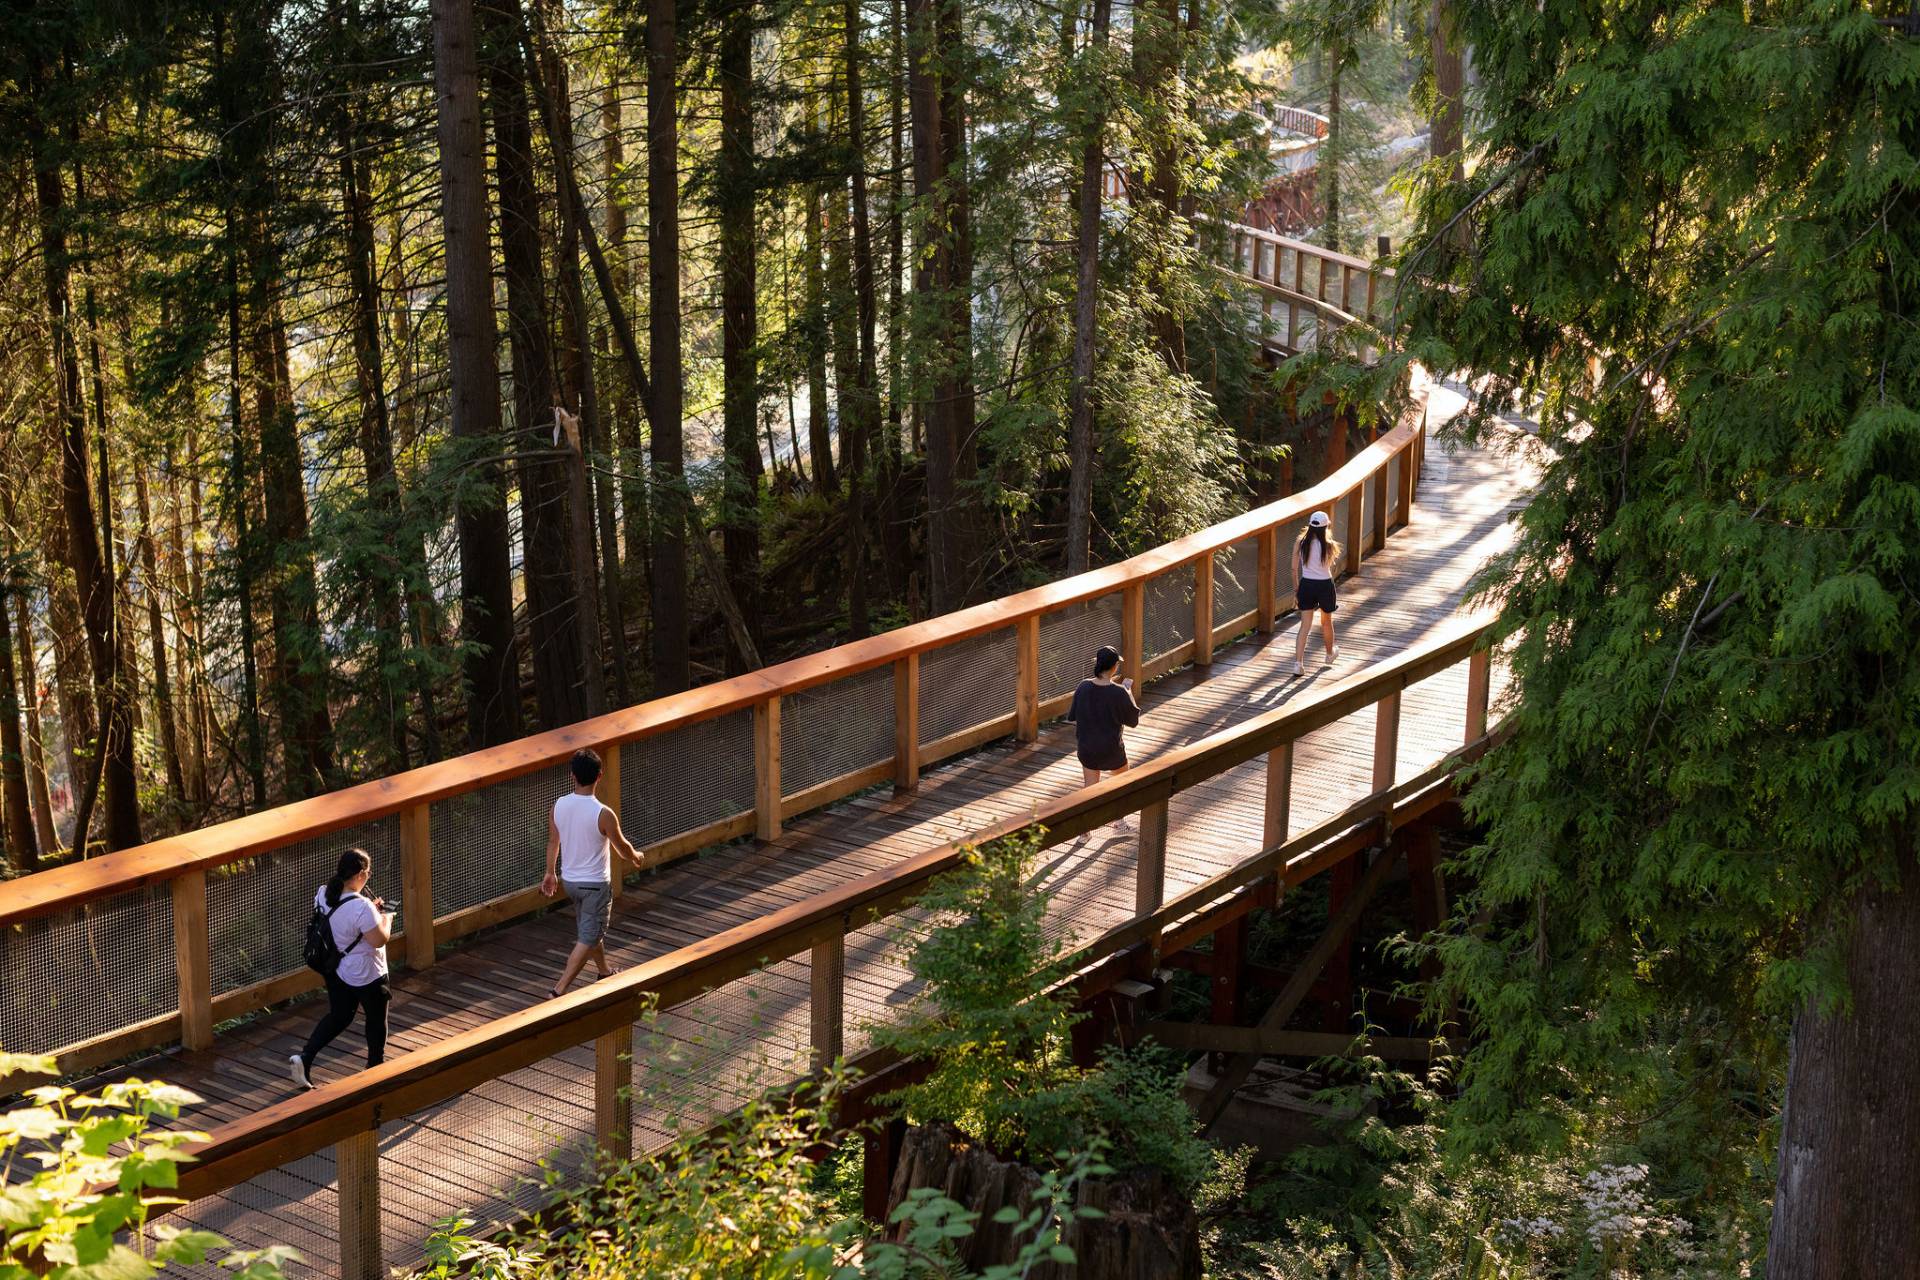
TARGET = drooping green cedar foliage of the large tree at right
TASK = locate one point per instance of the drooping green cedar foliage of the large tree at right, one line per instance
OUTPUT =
(1691, 243)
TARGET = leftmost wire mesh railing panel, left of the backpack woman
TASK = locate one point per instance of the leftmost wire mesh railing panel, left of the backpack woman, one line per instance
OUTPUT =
(80, 974)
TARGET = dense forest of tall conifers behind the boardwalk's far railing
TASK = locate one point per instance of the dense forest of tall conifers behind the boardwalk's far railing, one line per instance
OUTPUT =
(389, 379)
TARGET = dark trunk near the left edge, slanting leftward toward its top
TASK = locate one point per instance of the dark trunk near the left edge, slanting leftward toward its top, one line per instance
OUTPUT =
(84, 534)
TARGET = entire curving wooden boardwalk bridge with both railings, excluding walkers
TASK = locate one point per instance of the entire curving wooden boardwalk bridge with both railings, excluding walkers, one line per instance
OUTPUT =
(800, 809)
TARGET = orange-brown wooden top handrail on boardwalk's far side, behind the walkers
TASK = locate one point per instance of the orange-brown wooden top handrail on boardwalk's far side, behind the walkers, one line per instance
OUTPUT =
(256, 834)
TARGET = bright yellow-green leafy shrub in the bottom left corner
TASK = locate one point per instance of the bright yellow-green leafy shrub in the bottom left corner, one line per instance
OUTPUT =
(101, 1160)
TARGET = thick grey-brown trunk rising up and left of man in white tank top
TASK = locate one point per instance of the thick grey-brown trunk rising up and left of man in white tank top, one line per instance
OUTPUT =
(473, 375)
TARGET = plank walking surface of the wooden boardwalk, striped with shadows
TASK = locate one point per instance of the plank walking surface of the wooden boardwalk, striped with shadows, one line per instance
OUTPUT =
(483, 1152)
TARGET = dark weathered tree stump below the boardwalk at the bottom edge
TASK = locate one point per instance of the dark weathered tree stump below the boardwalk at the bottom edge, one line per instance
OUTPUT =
(1149, 1233)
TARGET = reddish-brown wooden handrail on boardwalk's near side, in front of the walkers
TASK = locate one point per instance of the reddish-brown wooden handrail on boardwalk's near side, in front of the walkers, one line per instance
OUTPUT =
(356, 1104)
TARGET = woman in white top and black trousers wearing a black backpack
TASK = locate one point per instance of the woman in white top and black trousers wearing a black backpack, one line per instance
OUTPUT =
(354, 964)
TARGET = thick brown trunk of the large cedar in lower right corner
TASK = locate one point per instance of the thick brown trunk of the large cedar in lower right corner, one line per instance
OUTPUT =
(1850, 1137)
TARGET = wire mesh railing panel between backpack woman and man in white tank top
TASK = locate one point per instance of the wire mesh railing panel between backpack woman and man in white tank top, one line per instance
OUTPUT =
(492, 841)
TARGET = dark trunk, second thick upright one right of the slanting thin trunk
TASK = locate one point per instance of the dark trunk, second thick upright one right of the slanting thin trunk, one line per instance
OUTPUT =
(736, 179)
